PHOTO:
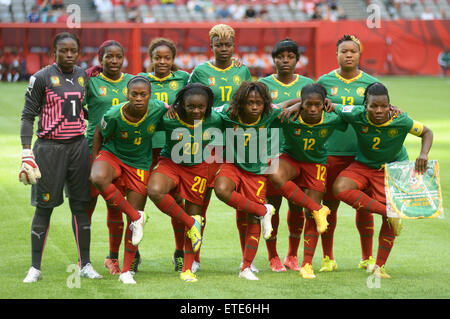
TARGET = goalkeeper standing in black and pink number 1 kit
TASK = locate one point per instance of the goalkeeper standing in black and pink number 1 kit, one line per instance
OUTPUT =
(60, 154)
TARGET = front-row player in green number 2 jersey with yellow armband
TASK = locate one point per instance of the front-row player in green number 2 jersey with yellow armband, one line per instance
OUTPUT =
(380, 137)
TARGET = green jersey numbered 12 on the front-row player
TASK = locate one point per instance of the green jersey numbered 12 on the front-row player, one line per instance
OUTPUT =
(306, 142)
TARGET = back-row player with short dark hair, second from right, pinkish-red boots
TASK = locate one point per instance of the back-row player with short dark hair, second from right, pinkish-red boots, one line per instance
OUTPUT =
(283, 86)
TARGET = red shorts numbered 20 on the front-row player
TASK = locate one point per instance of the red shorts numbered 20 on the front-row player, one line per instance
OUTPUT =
(191, 181)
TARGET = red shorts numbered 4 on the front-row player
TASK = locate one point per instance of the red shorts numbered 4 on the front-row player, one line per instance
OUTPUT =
(128, 178)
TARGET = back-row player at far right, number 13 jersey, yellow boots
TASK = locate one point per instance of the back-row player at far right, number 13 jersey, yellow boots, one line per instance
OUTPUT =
(345, 85)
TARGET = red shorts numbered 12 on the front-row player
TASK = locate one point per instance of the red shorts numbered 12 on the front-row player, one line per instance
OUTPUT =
(311, 176)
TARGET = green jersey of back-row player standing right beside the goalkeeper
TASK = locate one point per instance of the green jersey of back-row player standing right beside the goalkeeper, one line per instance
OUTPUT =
(101, 94)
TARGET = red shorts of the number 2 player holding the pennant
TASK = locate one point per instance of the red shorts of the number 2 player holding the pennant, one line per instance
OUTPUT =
(368, 179)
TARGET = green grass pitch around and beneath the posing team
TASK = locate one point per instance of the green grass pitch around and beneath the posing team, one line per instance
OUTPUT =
(419, 262)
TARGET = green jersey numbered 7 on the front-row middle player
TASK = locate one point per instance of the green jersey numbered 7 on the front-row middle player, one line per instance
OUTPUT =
(251, 146)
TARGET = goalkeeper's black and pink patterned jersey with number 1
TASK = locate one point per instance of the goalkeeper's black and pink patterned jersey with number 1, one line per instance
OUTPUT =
(56, 97)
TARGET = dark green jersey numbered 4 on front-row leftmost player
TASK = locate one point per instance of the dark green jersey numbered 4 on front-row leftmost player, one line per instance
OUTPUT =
(131, 142)
